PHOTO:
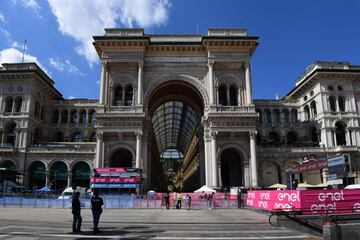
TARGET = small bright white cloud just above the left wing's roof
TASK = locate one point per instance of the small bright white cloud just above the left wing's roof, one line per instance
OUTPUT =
(12, 55)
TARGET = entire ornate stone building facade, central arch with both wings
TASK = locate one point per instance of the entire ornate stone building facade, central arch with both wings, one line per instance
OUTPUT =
(179, 107)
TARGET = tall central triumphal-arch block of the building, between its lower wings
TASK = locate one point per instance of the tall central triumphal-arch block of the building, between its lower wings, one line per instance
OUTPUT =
(179, 108)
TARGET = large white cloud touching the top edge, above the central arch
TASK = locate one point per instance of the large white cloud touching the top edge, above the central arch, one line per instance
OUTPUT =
(83, 19)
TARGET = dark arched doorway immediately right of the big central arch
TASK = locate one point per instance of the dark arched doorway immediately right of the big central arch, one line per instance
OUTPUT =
(231, 168)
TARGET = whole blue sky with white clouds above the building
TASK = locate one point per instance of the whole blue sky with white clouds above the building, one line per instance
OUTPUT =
(293, 34)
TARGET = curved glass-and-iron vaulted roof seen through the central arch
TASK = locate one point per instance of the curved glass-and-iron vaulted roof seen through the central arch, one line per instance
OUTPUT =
(173, 124)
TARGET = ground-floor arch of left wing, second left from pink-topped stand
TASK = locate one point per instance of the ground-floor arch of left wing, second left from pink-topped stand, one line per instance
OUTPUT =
(58, 175)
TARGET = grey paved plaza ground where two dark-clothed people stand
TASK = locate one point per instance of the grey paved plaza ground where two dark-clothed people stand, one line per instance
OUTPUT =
(43, 223)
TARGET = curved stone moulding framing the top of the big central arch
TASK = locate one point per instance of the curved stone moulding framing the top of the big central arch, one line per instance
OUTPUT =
(194, 82)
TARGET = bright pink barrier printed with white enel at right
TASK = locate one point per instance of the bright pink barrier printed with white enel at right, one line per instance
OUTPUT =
(307, 201)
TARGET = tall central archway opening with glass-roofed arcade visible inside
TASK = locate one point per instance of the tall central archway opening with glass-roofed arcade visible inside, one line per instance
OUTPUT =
(175, 110)
